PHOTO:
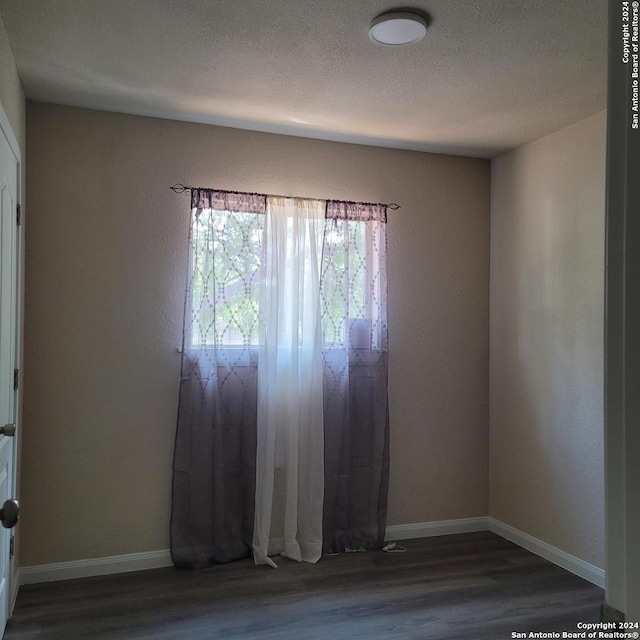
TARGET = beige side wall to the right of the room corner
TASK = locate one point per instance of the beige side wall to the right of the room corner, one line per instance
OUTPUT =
(547, 331)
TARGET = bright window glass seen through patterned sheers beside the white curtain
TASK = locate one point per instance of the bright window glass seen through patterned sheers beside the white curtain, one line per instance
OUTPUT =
(226, 259)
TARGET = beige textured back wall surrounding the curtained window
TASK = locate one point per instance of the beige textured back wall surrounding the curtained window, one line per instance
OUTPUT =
(106, 252)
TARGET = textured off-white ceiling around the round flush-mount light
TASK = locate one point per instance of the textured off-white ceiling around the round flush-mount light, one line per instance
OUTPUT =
(490, 75)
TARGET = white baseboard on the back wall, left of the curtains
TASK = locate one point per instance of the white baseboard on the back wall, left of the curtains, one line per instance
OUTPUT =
(95, 567)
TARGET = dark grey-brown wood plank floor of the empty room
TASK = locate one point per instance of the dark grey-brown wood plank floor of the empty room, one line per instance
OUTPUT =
(470, 586)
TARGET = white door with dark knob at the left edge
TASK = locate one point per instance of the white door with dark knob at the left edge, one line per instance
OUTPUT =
(8, 355)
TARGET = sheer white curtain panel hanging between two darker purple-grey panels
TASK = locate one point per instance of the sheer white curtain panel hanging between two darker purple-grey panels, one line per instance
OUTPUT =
(290, 439)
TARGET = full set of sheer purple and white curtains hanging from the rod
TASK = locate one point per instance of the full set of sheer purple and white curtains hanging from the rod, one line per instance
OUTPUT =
(245, 251)
